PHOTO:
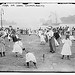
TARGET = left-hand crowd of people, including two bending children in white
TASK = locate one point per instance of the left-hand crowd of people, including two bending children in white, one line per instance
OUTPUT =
(18, 48)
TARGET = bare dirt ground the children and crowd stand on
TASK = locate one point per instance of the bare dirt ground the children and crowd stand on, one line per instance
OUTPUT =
(52, 62)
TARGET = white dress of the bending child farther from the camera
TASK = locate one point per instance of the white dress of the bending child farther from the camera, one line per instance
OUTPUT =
(18, 47)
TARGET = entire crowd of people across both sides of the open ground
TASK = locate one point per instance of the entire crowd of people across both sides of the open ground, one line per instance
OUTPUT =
(50, 35)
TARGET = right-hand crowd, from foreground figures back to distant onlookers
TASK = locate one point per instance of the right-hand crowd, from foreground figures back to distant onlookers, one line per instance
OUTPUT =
(53, 36)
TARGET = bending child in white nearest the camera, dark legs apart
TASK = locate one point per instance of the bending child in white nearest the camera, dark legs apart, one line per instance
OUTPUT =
(30, 58)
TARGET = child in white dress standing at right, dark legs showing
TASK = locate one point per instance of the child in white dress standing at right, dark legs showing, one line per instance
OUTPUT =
(66, 50)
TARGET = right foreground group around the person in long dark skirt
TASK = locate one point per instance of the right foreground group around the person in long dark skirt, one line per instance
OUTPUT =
(55, 39)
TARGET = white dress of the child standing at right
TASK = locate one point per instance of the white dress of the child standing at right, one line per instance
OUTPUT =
(66, 49)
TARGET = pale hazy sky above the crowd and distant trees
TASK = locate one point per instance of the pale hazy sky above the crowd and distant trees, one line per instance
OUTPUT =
(32, 16)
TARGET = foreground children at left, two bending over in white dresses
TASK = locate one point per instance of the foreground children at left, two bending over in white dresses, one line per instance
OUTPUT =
(17, 49)
